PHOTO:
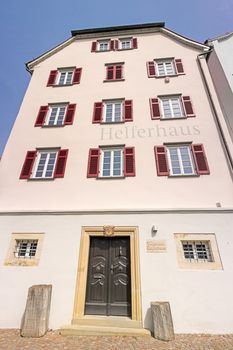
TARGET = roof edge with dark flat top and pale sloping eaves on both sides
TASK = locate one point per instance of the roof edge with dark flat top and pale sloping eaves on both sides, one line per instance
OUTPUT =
(116, 31)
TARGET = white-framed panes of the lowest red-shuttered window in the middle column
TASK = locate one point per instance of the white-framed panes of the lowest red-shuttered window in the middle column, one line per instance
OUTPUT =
(112, 162)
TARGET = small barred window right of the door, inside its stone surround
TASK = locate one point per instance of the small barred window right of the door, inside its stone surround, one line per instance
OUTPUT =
(197, 251)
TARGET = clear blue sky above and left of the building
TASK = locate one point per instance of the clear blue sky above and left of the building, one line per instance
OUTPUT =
(28, 28)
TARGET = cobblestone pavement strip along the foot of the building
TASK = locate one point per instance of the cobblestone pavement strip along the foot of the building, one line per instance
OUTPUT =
(11, 340)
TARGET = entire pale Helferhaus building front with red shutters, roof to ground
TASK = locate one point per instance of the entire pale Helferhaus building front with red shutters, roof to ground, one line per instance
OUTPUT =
(116, 184)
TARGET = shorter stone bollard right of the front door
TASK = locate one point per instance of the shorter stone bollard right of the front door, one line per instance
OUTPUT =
(162, 320)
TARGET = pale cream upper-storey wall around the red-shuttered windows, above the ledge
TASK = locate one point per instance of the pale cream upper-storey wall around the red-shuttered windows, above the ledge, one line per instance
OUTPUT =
(146, 190)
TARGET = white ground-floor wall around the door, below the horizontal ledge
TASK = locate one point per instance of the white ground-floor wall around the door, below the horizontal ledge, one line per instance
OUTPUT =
(200, 300)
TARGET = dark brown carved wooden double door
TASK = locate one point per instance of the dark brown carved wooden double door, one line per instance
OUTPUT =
(108, 281)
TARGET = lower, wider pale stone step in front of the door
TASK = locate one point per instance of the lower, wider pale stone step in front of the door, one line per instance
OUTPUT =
(75, 330)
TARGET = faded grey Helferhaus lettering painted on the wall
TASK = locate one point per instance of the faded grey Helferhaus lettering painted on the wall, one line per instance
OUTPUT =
(133, 132)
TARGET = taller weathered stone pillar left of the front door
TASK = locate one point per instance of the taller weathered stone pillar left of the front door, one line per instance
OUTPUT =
(36, 315)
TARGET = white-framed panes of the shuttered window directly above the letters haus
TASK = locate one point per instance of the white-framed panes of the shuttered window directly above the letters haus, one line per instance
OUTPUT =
(171, 107)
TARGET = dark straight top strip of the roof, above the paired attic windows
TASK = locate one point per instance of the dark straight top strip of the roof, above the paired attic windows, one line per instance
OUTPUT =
(117, 28)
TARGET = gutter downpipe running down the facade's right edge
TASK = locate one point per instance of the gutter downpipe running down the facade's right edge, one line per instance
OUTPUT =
(225, 145)
